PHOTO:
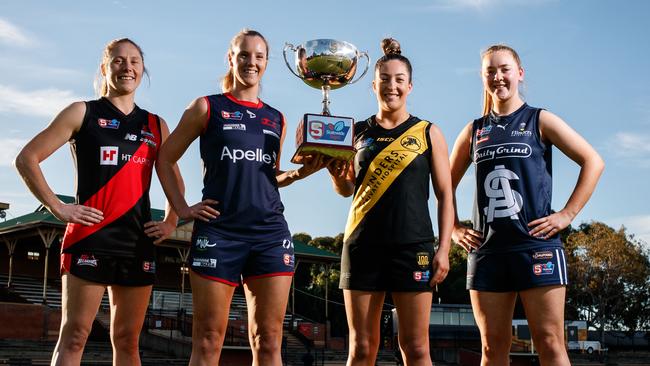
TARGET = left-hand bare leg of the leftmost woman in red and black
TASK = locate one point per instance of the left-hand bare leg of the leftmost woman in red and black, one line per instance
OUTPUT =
(80, 300)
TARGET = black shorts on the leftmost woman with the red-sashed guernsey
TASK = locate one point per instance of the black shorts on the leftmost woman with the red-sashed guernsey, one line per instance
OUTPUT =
(110, 270)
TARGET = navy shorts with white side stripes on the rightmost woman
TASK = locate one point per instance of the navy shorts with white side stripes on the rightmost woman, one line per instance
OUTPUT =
(516, 271)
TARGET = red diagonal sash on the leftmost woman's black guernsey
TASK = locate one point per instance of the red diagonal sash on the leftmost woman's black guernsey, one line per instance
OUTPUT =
(121, 192)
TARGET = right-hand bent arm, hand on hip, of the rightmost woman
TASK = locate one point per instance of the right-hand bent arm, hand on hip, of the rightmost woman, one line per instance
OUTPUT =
(554, 130)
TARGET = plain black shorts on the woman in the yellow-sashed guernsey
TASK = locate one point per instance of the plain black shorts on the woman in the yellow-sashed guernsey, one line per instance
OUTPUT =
(396, 268)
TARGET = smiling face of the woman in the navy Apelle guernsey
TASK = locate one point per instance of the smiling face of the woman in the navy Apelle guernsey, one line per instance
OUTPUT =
(247, 61)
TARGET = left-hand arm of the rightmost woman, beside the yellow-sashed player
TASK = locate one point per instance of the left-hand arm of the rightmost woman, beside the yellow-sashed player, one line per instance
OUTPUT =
(460, 160)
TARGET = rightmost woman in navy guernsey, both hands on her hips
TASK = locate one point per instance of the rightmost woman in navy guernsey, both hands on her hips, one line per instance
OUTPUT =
(514, 245)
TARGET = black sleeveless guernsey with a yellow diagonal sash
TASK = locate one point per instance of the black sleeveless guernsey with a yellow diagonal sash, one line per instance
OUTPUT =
(393, 170)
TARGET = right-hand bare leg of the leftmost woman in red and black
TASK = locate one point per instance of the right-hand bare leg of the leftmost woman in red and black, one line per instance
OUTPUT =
(128, 308)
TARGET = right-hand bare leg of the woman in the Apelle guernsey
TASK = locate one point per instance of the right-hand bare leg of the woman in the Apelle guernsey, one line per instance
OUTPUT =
(266, 299)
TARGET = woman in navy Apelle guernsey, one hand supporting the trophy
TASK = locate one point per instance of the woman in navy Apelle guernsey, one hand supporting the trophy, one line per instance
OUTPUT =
(239, 229)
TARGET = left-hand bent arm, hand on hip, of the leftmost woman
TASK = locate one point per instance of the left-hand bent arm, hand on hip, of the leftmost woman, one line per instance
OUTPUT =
(60, 130)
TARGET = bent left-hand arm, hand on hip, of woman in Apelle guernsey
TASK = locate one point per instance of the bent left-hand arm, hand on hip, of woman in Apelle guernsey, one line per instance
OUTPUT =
(189, 128)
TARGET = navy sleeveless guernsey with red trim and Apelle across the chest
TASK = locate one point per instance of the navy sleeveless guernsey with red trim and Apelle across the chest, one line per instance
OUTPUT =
(239, 151)
